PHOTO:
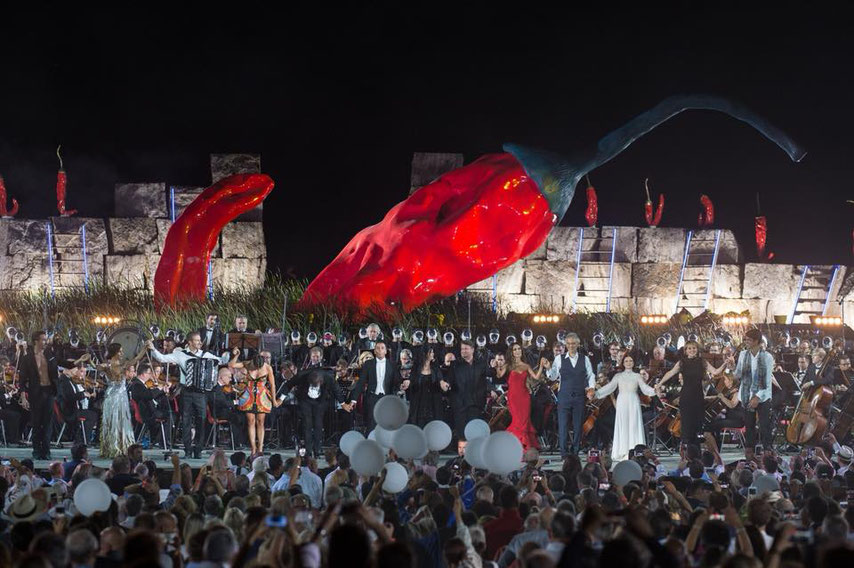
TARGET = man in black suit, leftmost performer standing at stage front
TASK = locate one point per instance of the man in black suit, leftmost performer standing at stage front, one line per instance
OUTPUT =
(39, 377)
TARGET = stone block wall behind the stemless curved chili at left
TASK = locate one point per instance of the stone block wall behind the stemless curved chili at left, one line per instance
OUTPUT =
(124, 250)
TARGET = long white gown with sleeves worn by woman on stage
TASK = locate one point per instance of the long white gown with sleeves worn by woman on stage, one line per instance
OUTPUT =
(628, 427)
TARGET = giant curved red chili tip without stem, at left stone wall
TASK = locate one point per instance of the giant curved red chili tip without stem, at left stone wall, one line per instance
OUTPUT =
(183, 268)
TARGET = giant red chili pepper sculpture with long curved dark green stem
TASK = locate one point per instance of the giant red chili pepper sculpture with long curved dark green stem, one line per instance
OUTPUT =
(482, 217)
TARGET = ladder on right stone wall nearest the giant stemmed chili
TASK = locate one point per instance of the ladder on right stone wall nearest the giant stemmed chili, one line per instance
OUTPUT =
(592, 291)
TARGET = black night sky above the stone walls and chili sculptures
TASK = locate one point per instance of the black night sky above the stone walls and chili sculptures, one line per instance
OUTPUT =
(336, 103)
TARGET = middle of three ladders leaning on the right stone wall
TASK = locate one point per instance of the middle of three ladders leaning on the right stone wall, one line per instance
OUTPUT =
(698, 270)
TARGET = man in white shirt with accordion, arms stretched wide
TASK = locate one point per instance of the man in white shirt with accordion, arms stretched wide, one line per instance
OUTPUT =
(193, 401)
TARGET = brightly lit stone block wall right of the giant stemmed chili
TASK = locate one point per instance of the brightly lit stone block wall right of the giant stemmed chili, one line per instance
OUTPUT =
(647, 266)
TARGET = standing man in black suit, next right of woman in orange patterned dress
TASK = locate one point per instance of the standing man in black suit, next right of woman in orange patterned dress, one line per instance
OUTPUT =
(316, 389)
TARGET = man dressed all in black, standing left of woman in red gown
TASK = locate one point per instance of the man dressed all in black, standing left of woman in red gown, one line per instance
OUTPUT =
(467, 386)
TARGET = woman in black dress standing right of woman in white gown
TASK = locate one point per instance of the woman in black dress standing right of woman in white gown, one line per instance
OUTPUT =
(692, 370)
